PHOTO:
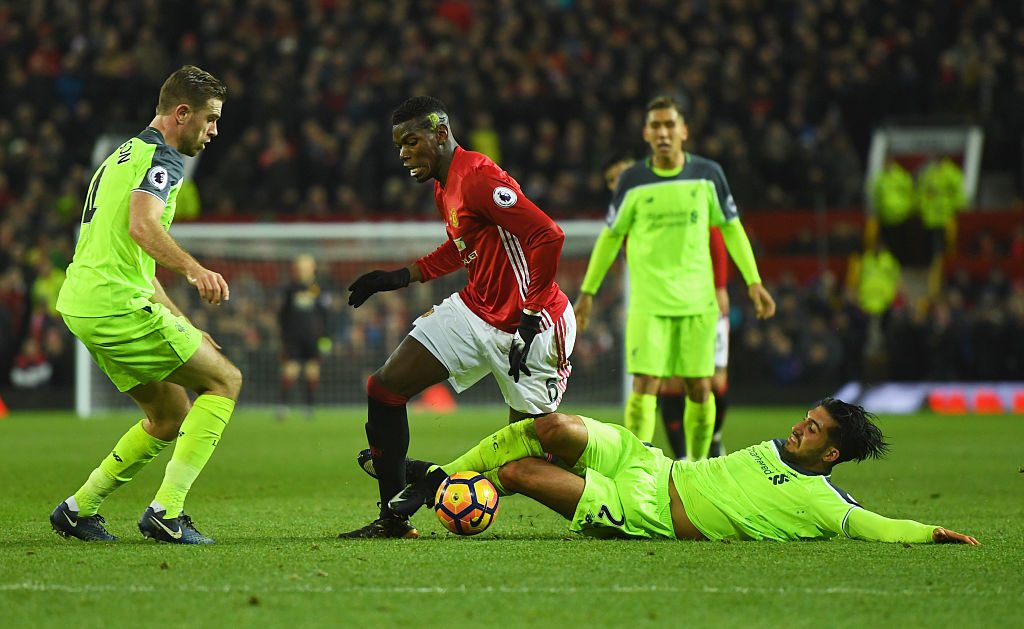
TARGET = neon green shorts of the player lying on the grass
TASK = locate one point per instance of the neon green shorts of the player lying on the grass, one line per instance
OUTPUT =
(627, 487)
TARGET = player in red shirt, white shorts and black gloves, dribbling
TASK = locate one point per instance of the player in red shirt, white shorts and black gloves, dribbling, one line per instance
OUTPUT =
(510, 321)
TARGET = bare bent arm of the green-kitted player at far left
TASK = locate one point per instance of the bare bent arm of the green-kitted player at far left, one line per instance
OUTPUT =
(146, 230)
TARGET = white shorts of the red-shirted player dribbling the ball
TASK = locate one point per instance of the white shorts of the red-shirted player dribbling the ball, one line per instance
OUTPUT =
(472, 349)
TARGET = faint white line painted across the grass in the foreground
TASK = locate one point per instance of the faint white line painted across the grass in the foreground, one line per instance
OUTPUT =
(35, 586)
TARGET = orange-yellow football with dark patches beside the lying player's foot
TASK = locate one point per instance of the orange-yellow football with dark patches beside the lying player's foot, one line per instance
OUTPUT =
(466, 504)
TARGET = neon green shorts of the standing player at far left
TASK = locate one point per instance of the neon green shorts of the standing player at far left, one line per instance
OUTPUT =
(139, 348)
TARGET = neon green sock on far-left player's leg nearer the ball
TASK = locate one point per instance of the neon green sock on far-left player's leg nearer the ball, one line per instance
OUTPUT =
(198, 439)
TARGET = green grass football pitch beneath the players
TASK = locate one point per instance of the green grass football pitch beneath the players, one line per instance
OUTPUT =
(276, 495)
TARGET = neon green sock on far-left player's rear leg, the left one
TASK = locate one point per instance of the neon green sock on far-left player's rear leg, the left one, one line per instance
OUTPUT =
(133, 452)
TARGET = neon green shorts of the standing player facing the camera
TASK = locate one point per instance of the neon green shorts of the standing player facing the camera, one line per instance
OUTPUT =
(666, 347)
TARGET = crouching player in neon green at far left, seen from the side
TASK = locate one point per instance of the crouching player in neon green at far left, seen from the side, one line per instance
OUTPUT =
(115, 305)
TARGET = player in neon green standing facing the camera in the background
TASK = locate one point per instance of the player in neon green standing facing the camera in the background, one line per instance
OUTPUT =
(666, 205)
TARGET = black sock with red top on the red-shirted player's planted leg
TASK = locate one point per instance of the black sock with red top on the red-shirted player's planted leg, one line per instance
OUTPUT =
(388, 435)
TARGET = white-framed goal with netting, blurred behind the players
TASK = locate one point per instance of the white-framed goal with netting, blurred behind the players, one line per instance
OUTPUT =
(257, 261)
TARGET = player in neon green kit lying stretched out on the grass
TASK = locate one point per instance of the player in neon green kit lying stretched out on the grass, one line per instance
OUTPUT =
(619, 487)
